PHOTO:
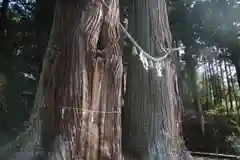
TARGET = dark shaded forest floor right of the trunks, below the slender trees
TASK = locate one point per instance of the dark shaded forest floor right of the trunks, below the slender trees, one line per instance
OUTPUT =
(217, 129)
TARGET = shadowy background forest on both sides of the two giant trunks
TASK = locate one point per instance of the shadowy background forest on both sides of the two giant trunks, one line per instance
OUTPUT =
(209, 67)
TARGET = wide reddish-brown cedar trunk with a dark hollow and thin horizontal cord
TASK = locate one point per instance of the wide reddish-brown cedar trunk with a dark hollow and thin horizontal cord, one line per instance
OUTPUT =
(80, 84)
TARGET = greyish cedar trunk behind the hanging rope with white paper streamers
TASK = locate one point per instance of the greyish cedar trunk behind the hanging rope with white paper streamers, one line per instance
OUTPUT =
(151, 127)
